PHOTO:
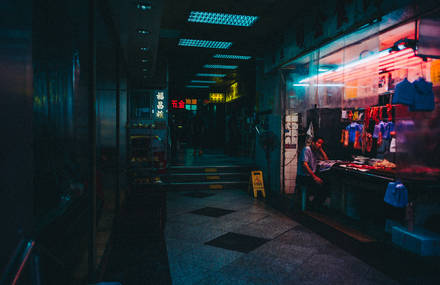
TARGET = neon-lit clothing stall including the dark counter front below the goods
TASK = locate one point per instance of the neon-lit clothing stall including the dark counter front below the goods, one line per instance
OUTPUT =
(386, 128)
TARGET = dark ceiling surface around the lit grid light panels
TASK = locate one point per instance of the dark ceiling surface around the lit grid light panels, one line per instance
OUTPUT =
(167, 22)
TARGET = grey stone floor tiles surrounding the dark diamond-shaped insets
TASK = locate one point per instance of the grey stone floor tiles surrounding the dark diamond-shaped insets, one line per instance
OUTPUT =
(292, 255)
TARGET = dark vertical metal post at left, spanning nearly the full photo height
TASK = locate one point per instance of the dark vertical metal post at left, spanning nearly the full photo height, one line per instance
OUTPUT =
(92, 142)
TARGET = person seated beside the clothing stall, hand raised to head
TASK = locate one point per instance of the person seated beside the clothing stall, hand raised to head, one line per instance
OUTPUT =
(307, 173)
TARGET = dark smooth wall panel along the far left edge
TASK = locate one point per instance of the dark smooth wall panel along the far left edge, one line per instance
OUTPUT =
(16, 154)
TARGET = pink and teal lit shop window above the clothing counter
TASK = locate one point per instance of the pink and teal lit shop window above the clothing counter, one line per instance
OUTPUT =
(350, 86)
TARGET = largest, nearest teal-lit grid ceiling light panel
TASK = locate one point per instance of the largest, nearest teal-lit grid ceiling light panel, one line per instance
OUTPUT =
(221, 19)
